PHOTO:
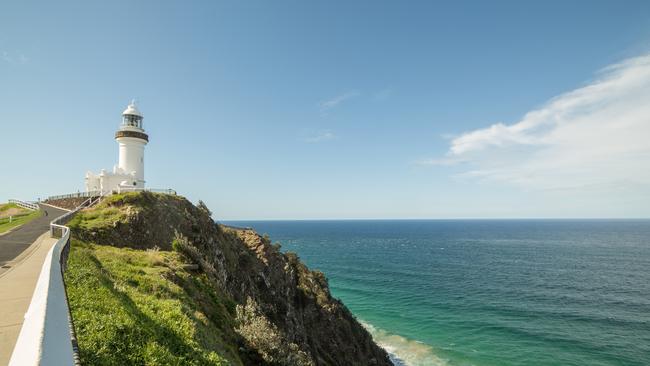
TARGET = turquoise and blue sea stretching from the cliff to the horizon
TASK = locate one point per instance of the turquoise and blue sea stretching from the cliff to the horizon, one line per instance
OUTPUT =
(488, 292)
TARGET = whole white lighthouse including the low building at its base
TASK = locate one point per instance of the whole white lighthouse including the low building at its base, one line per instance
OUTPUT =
(128, 174)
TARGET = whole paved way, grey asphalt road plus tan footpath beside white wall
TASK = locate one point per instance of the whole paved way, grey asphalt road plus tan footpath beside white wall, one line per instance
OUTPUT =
(22, 254)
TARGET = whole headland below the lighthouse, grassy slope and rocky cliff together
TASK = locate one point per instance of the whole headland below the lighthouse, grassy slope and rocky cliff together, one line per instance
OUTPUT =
(136, 298)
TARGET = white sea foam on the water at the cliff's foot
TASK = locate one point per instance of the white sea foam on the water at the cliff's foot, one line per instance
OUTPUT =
(404, 351)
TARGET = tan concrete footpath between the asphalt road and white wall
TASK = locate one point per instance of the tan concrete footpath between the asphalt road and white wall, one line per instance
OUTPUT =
(17, 285)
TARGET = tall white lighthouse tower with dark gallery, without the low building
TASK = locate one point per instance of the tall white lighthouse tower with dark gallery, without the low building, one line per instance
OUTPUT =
(132, 140)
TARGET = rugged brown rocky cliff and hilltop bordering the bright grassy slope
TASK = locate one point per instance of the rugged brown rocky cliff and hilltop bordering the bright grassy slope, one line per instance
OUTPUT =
(285, 313)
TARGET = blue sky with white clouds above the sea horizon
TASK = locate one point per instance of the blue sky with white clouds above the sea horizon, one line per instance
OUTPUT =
(338, 109)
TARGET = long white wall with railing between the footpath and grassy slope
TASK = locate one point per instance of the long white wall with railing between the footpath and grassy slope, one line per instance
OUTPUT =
(47, 335)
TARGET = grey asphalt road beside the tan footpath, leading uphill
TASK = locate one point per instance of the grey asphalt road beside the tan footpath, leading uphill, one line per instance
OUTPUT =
(15, 242)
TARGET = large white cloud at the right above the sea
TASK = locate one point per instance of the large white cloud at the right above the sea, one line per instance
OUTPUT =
(594, 136)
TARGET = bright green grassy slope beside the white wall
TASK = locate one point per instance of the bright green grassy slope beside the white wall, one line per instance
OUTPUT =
(135, 307)
